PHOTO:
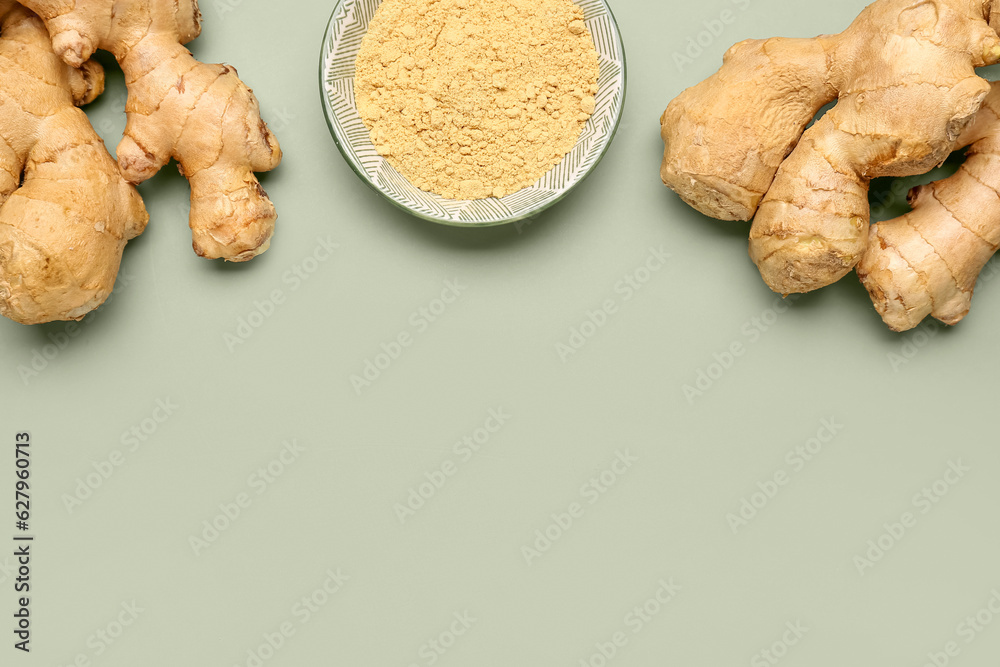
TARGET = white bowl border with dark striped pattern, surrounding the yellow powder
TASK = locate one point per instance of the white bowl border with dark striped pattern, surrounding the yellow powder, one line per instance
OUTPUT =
(340, 49)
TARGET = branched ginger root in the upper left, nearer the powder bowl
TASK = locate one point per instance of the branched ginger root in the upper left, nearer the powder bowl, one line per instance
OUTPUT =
(201, 115)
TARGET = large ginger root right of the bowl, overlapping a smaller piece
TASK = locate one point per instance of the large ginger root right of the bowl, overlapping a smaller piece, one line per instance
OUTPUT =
(903, 74)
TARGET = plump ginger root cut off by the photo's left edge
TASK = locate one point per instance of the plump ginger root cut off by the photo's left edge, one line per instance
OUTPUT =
(63, 229)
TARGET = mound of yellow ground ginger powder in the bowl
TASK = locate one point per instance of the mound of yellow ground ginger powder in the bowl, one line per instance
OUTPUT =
(476, 98)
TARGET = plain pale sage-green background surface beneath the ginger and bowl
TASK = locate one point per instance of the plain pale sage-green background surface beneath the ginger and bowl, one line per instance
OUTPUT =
(523, 289)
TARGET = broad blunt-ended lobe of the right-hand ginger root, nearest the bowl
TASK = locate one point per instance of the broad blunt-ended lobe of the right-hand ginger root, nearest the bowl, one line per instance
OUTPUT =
(725, 138)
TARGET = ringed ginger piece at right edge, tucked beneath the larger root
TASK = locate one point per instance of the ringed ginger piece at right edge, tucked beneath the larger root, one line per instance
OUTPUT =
(927, 261)
